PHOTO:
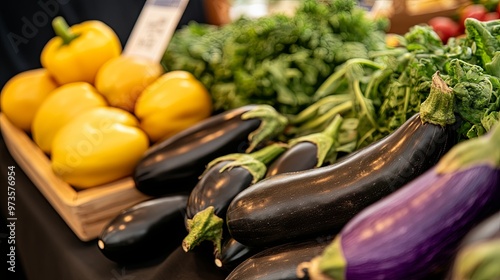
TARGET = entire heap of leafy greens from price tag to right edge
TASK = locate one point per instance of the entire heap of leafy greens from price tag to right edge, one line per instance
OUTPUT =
(330, 59)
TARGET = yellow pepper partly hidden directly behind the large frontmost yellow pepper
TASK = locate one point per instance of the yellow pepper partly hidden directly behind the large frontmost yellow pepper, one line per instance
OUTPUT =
(62, 105)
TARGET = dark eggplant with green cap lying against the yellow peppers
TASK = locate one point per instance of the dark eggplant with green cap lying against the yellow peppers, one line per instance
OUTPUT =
(174, 165)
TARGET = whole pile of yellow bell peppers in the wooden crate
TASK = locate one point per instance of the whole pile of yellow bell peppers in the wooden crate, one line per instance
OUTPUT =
(95, 111)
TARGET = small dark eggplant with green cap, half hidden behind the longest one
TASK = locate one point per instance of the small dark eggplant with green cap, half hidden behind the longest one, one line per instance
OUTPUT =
(308, 151)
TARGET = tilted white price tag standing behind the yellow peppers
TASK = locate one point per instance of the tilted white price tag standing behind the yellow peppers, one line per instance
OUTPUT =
(154, 28)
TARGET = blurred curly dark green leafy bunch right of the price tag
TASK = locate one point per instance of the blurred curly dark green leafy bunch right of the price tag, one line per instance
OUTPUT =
(277, 60)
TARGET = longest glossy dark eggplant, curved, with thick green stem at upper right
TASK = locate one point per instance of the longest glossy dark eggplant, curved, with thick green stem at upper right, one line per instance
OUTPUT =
(298, 205)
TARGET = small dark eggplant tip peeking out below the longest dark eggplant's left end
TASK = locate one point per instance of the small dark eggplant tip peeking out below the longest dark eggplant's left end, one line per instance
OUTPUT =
(233, 253)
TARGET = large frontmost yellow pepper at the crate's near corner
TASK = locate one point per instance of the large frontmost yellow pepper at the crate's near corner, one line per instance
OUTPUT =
(100, 146)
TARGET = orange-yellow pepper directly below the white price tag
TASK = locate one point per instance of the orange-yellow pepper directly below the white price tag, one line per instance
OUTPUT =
(122, 79)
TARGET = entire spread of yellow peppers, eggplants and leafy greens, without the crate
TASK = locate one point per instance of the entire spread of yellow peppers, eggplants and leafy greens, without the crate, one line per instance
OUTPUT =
(304, 146)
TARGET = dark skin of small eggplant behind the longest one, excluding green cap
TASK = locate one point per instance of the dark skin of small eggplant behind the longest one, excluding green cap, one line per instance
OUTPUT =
(301, 156)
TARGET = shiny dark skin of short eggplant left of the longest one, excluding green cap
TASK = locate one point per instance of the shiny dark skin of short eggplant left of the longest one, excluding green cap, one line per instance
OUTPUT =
(217, 189)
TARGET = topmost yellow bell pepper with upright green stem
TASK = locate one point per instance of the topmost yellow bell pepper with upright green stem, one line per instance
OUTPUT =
(77, 53)
